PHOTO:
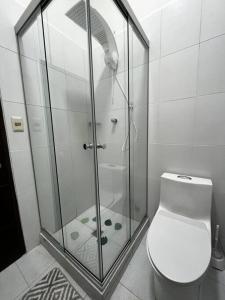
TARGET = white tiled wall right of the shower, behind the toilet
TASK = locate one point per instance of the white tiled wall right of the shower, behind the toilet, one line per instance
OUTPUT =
(187, 93)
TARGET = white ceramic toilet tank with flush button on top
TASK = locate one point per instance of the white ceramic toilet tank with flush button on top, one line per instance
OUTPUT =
(186, 195)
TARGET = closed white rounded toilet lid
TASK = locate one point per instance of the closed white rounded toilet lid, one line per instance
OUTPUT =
(179, 247)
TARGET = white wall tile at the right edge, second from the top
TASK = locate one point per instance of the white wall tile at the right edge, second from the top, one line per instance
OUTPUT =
(212, 66)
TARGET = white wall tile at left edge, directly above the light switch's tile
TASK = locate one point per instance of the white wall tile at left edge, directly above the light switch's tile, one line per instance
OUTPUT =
(10, 79)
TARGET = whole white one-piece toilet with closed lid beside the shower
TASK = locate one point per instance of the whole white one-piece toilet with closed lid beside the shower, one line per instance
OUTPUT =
(179, 238)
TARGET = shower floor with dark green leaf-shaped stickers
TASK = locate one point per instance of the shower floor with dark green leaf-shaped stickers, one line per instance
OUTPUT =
(84, 247)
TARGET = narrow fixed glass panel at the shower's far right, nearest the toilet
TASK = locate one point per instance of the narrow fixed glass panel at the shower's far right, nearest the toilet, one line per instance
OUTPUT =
(138, 92)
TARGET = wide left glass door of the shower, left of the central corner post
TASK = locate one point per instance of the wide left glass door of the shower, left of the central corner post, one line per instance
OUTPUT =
(68, 73)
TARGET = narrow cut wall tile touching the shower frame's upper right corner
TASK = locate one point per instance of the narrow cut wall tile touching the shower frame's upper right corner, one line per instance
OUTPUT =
(152, 27)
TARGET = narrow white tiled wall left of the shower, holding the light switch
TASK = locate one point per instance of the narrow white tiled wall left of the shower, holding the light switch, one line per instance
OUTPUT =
(13, 104)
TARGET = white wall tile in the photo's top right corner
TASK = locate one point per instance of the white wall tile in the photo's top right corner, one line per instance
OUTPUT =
(213, 21)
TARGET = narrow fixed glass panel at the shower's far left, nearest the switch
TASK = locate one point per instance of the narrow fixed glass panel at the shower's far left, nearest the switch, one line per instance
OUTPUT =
(33, 68)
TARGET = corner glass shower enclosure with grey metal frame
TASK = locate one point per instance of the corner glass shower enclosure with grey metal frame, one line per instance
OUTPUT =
(85, 76)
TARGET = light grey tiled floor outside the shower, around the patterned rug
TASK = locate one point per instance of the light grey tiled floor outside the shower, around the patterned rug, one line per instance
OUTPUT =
(136, 283)
